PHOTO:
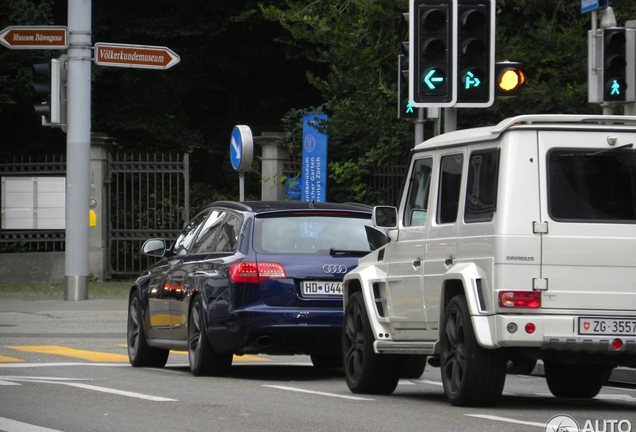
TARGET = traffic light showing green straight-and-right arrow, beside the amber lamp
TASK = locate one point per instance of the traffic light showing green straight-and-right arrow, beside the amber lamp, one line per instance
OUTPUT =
(475, 53)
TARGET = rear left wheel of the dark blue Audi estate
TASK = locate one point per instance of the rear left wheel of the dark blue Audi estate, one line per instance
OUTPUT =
(203, 360)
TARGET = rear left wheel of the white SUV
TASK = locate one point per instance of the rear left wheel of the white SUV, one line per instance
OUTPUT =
(471, 375)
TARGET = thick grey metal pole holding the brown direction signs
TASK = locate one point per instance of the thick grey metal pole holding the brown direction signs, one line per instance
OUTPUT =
(78, 143)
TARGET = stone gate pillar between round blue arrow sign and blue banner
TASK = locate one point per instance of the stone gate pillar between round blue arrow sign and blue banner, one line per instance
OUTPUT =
(273, 158)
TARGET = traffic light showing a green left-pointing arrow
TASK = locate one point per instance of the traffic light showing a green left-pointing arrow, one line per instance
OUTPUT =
(432, 53)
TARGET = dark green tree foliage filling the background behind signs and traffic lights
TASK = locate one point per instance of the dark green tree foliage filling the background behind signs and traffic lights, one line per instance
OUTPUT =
(265, 64)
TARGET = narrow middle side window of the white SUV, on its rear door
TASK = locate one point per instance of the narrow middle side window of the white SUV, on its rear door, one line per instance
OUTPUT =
(449, 186)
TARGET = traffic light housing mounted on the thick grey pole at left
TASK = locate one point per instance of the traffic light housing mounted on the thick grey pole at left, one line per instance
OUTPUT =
(53, 91)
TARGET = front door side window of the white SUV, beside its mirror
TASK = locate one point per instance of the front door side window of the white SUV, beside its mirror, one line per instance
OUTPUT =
(417, 199)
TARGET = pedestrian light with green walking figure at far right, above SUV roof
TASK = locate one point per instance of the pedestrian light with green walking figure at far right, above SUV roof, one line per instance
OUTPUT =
(612, 65)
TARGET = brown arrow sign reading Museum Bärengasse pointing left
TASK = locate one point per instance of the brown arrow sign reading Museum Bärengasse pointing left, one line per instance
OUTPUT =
(40, 37)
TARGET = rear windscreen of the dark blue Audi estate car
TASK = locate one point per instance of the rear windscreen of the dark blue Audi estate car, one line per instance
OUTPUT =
(307, 234)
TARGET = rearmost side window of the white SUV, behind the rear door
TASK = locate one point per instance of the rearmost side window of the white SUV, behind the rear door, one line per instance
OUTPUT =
(481, 189)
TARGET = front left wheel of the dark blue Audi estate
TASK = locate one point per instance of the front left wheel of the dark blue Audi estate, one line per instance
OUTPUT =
(139, 353)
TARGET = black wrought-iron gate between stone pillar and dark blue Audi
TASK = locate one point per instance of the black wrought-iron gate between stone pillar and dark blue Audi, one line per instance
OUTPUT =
(148, 196)
